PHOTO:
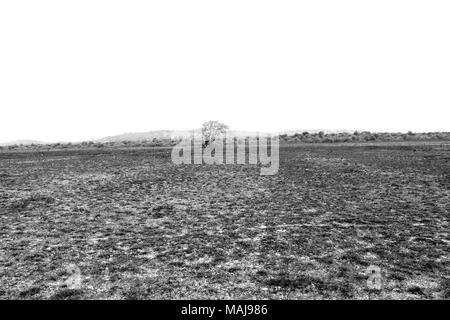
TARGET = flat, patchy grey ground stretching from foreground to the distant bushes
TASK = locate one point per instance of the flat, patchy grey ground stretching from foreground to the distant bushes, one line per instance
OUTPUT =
(139, 227)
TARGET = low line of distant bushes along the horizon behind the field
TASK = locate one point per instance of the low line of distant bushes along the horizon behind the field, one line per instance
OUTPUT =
(304, 137)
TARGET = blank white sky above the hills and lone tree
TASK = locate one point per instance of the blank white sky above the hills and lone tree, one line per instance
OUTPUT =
(77, 70)
